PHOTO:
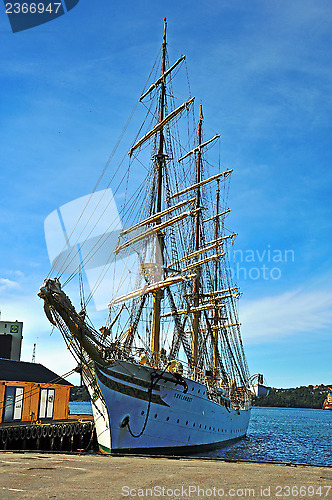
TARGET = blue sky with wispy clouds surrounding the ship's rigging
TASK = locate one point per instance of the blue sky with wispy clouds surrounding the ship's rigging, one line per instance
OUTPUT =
(263, 71)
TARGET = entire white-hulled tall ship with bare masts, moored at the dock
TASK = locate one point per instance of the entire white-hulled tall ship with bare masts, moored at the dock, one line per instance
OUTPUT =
(167, 372)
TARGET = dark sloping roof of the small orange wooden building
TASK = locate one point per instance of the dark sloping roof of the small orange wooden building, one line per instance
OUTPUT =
(21, 371)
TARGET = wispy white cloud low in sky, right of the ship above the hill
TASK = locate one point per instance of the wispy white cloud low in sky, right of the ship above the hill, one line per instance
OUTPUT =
(288, 314)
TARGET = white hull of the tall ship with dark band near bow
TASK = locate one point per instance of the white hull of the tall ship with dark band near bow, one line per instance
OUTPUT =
(173, 421)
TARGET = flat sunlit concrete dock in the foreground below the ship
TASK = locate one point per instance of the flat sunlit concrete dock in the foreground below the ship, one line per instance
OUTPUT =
(65, 476)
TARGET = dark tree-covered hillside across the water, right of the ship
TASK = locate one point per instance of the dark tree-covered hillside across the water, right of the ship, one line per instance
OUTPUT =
(300, 397)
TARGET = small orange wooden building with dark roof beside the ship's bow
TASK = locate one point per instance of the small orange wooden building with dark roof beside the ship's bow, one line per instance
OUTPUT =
(30, 392)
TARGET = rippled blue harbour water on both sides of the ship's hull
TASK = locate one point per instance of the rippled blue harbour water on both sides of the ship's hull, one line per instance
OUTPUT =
(297, 435)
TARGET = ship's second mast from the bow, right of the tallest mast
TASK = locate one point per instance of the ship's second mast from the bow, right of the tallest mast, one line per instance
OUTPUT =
(196, 315)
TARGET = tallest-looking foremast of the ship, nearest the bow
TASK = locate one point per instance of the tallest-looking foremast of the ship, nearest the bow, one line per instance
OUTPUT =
(160, 161)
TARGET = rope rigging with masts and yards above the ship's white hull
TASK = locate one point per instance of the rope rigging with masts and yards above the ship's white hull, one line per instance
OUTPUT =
(196, 317)
